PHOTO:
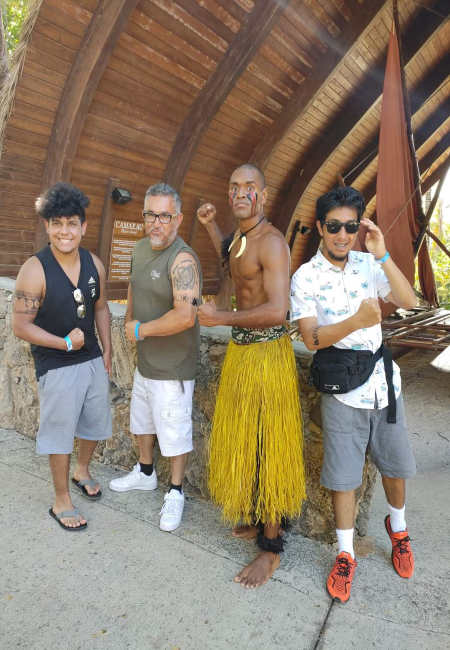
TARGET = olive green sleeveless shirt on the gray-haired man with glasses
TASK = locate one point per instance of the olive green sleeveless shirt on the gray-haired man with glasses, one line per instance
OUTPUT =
(161, 357)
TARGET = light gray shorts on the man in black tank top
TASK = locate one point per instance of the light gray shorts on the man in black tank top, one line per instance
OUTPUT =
(74, 401)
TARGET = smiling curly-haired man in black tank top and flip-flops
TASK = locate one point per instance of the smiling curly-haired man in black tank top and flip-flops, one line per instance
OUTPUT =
(59, 298)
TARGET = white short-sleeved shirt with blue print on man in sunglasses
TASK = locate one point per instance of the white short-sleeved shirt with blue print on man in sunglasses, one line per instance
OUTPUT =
(331, 294)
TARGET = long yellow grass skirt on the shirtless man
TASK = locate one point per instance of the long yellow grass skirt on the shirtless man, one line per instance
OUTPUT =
(255, 450)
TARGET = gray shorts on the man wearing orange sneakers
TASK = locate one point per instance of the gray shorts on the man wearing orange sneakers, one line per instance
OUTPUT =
(349, 432)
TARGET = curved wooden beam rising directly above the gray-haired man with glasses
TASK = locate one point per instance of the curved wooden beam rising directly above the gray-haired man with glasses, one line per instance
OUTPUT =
(242, 49)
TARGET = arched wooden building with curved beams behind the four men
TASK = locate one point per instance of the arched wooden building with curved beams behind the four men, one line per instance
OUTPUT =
(124, 93)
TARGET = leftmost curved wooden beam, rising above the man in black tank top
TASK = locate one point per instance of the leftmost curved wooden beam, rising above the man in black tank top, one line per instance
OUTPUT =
(102, 33)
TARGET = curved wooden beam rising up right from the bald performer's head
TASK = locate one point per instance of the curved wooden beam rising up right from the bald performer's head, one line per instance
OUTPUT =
(362, 16)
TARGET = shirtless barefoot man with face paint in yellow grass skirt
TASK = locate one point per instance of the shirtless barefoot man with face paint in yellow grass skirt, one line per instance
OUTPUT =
(256, 463)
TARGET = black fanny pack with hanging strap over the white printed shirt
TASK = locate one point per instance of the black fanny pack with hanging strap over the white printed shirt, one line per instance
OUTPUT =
(337, 371)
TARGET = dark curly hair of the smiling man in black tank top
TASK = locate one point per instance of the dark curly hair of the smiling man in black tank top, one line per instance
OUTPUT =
(62, 200)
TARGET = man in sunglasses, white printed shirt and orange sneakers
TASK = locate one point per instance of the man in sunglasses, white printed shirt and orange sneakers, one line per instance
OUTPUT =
(335, 299)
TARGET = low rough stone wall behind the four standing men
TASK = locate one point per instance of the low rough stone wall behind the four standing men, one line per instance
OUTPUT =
(19, 410)
